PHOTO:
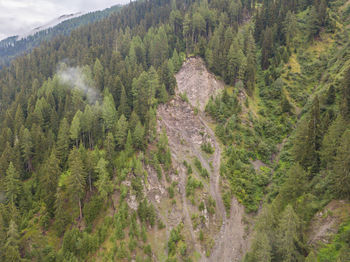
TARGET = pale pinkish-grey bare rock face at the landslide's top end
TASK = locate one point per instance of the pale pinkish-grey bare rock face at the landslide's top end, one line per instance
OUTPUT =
(198, 84)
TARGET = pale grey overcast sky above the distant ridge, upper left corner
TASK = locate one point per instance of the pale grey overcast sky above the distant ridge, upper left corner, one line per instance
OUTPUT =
(20, 16)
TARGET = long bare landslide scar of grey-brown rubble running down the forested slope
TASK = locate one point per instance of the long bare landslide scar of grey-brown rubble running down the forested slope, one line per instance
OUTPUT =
(187, 128)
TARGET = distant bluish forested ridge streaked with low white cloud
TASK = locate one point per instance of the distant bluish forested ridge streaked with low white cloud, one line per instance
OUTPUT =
(14, 46)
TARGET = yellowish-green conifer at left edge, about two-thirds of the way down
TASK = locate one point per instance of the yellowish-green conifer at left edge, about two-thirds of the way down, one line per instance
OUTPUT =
(12, 184)
